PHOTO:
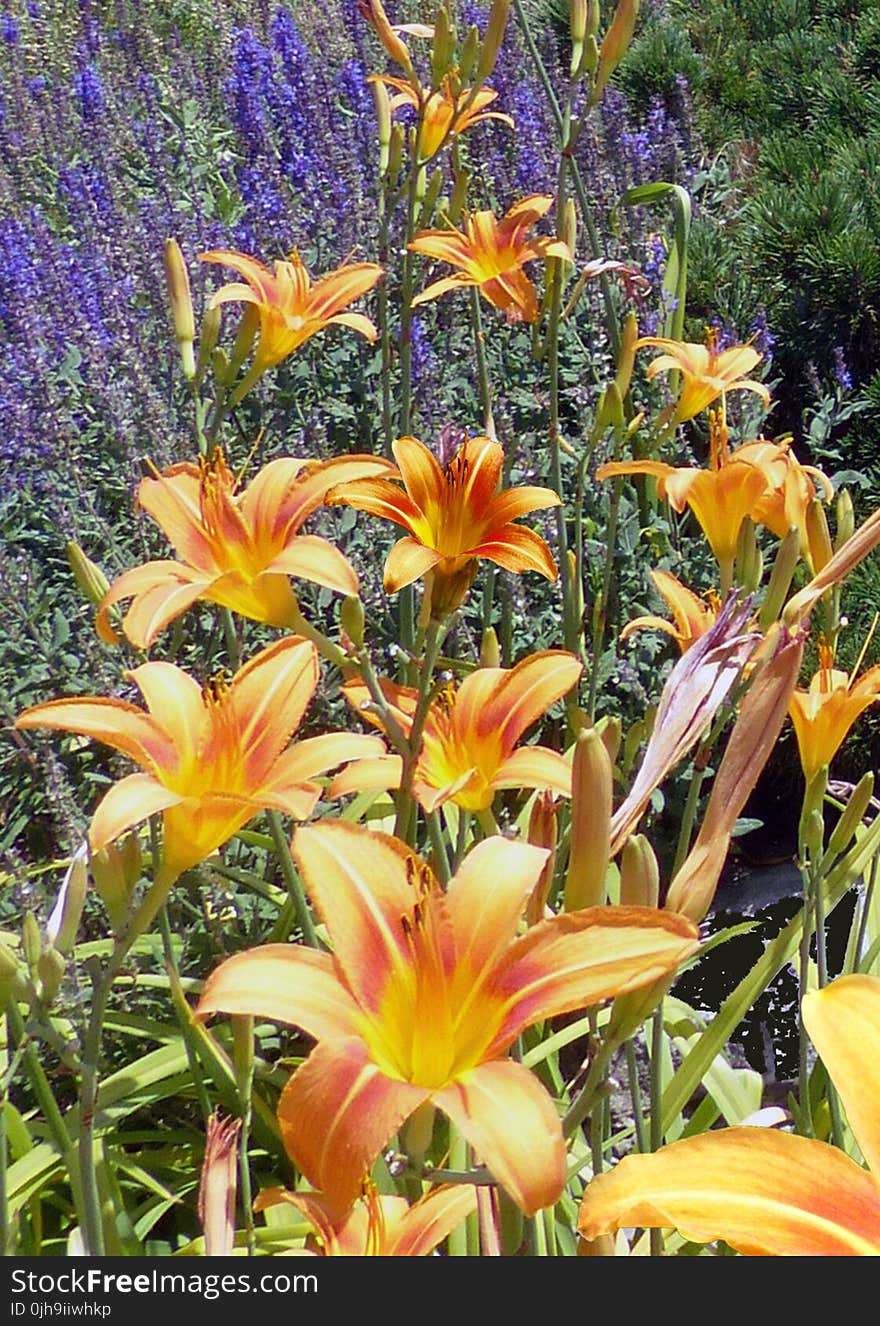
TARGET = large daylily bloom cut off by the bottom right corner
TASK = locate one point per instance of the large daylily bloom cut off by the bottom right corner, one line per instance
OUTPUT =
(771, 1194)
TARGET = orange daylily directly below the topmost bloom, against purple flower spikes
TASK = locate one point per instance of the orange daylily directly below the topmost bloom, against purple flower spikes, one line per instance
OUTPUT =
(492, 255)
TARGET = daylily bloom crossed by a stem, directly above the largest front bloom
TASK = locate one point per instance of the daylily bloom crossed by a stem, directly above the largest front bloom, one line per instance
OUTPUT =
(471, 733)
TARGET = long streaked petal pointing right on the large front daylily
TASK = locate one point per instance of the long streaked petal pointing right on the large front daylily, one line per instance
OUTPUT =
(578, 959)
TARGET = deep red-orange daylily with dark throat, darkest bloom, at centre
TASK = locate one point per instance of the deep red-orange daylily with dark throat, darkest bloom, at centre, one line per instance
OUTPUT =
(454, 516)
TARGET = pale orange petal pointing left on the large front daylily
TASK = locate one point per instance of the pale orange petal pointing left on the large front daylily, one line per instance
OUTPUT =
(287, 983)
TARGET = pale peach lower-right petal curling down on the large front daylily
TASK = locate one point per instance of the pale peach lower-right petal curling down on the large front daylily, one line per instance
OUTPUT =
(514, 1126)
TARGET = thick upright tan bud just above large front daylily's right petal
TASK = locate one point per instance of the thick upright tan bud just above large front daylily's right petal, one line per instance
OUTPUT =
(589, 852)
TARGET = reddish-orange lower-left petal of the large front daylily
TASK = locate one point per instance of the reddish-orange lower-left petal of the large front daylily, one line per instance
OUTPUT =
(339, 1112)
